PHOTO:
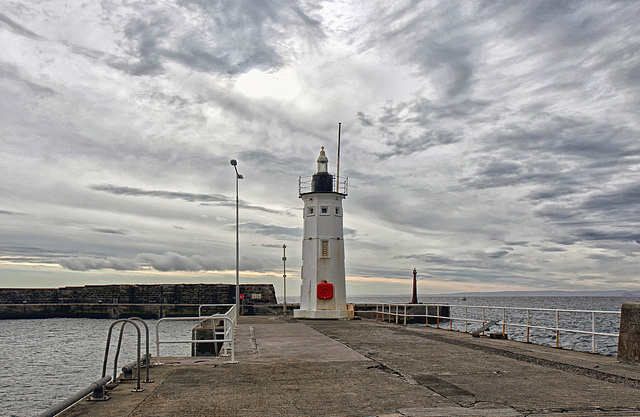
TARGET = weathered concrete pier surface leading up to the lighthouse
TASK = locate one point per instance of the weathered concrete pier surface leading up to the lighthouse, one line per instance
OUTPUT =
(291, 367)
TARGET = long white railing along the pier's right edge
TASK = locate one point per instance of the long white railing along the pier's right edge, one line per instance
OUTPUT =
(516, 317)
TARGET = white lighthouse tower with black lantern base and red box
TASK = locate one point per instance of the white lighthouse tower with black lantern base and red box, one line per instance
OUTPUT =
(323, 292)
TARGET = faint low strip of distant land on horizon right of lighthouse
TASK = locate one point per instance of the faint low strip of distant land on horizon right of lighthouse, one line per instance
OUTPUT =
(548, 293)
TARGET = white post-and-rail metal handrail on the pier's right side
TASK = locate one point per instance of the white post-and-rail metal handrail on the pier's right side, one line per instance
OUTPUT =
(385, 312)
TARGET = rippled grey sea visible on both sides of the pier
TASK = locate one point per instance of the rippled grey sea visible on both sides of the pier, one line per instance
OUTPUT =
(47, 360)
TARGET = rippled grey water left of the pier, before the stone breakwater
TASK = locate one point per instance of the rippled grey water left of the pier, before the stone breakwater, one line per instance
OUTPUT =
(45, 361)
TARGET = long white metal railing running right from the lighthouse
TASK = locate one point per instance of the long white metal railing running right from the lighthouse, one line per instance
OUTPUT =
(533, 325)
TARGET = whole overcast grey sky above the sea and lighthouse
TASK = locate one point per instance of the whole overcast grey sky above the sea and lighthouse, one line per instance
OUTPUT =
(490, 145)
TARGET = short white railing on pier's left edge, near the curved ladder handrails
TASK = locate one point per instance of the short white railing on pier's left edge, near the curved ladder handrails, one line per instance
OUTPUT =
(229, 319)
